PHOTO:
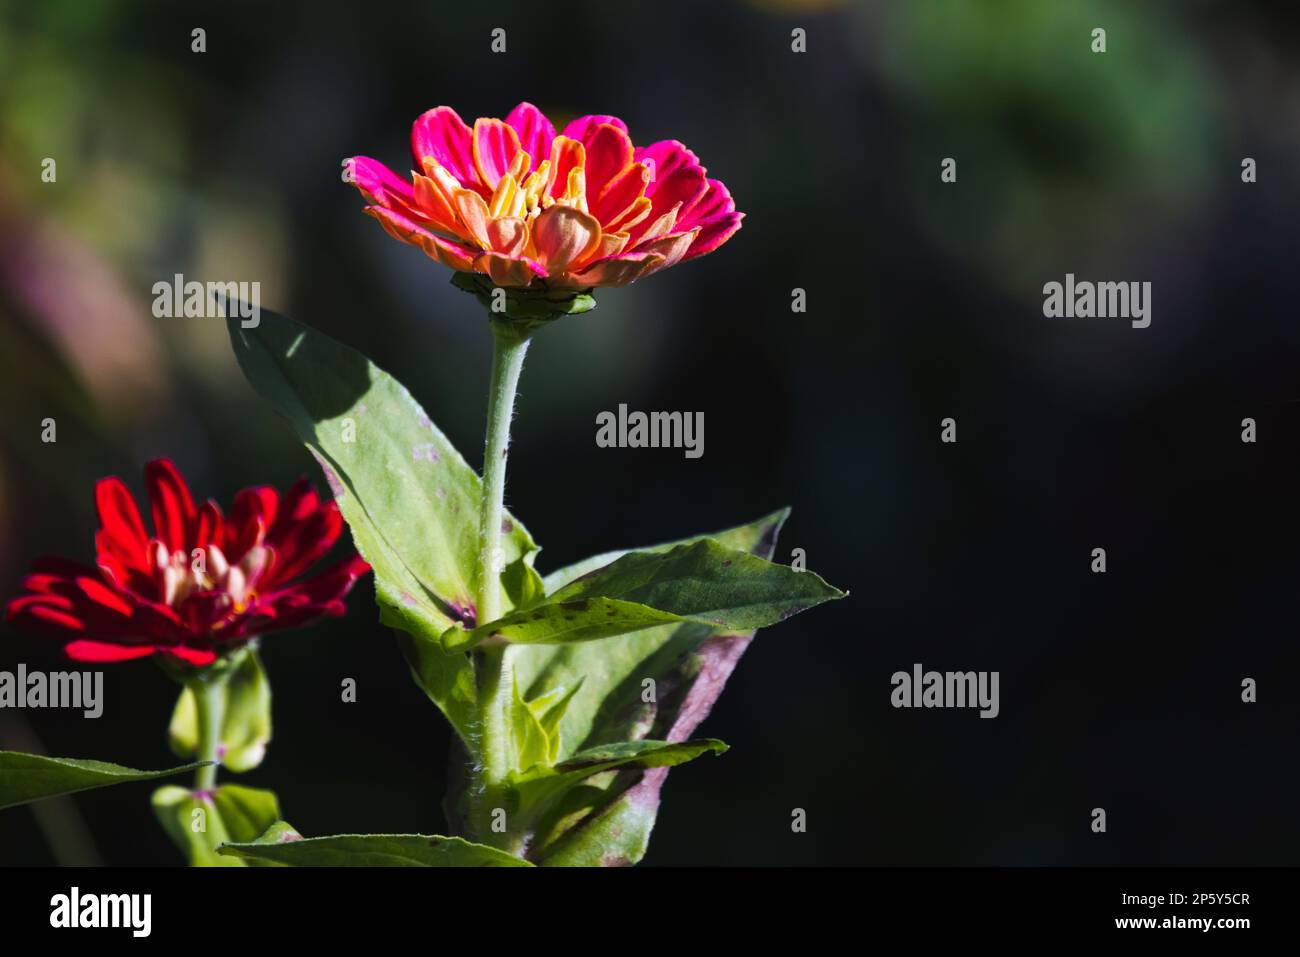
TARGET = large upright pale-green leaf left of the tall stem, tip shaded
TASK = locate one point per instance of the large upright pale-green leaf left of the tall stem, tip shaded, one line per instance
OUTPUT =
(408, 495)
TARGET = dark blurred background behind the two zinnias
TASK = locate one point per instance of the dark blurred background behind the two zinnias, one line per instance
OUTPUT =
(924, 301)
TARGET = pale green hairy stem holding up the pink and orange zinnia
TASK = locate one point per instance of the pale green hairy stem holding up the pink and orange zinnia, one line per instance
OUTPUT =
(495, 685)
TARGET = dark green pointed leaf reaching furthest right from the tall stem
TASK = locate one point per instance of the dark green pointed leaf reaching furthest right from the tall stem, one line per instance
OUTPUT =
(704, 582)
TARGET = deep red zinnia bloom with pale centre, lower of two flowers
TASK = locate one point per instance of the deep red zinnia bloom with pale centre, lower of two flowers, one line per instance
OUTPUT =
(203, 584)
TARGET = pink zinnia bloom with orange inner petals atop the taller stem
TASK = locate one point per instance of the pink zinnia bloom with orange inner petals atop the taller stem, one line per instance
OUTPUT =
(530, 209)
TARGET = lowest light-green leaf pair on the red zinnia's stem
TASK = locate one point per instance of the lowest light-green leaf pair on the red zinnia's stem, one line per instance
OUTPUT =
(200, 824)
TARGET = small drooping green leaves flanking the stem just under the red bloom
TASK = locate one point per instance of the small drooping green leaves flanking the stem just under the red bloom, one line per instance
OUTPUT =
(246, 724)
